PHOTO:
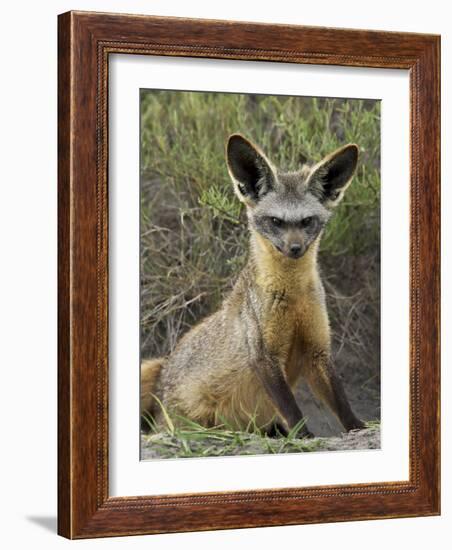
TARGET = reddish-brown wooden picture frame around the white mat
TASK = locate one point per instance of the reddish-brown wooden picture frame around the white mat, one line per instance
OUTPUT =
(85, 41)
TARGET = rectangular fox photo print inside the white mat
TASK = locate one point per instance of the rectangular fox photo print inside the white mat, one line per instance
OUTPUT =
(260, 274)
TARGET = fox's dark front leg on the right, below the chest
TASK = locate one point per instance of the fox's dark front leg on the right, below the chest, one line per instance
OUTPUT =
(327, 385)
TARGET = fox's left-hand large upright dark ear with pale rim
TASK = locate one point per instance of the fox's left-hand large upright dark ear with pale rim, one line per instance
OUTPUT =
(251, 172)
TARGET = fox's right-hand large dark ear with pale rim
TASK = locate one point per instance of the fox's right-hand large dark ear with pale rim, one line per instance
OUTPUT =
(331, 176)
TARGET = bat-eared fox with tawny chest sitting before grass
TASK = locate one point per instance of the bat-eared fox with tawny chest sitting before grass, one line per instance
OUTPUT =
(244, 361)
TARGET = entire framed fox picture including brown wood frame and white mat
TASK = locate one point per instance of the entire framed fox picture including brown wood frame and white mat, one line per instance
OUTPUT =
(248, 275)
